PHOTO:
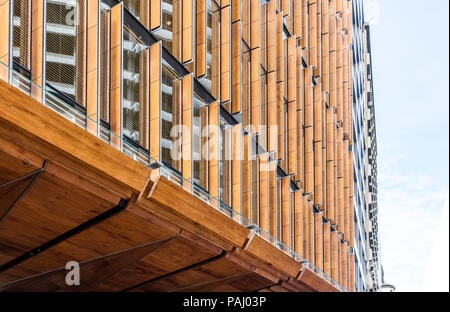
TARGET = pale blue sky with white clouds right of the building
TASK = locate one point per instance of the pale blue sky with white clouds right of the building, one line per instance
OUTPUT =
(410, 59)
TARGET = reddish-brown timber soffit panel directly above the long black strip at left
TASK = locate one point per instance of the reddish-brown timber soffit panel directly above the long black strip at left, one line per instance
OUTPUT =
(49, 208)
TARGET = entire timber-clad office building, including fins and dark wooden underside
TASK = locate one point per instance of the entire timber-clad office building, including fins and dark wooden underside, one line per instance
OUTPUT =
(198, 145)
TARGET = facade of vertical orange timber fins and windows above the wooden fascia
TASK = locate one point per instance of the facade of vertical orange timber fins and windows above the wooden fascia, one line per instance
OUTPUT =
(261, 109)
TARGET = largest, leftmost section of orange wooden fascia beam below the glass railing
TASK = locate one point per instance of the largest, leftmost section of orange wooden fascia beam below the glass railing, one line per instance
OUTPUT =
(24, 120)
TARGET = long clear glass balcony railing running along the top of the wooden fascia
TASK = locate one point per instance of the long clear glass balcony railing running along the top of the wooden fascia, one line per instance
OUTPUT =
(76, 116)
